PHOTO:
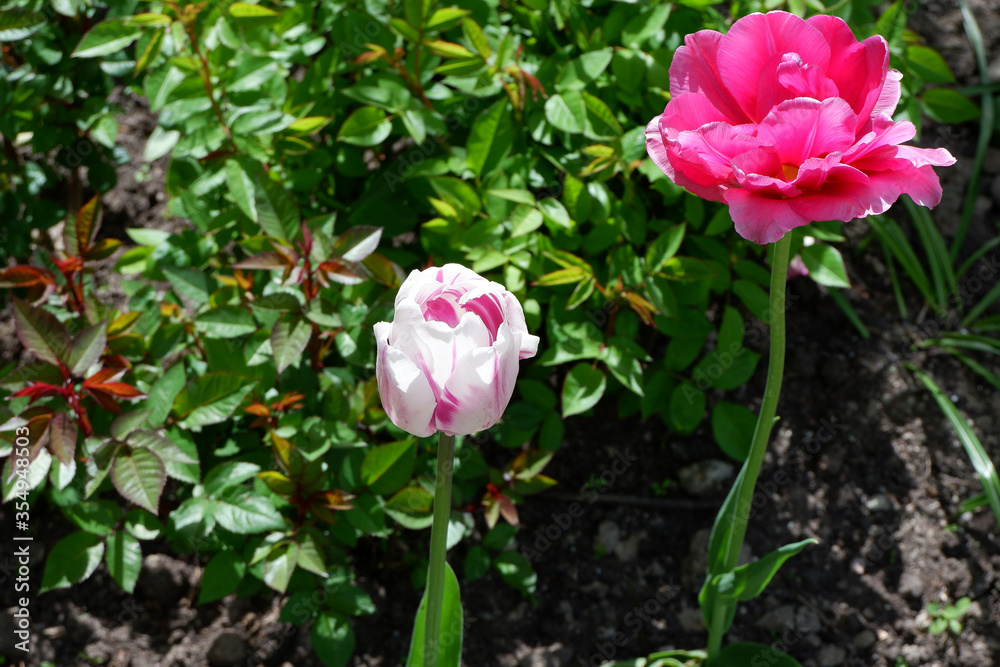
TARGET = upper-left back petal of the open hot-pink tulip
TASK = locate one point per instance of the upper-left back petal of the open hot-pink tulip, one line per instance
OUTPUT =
(694, 69)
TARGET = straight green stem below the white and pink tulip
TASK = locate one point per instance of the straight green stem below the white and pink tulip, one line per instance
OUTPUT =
(439, 547)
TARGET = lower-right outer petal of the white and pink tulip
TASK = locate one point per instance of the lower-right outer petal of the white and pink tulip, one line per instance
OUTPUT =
(480, 388)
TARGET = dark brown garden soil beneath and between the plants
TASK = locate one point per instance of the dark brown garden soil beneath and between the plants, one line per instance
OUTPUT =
(862, 460)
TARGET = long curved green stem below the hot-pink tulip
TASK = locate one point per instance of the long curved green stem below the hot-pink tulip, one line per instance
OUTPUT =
(746, 481)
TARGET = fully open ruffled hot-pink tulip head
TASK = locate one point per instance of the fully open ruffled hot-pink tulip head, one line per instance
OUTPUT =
(790, 121)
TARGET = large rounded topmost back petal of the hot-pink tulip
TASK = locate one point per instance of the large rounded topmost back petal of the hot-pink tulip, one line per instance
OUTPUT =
(750, 53)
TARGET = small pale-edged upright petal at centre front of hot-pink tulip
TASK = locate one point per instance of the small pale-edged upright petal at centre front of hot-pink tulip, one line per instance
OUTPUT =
(804, 128)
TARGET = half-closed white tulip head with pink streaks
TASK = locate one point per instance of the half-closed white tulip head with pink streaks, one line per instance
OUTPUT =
(448, 360)
